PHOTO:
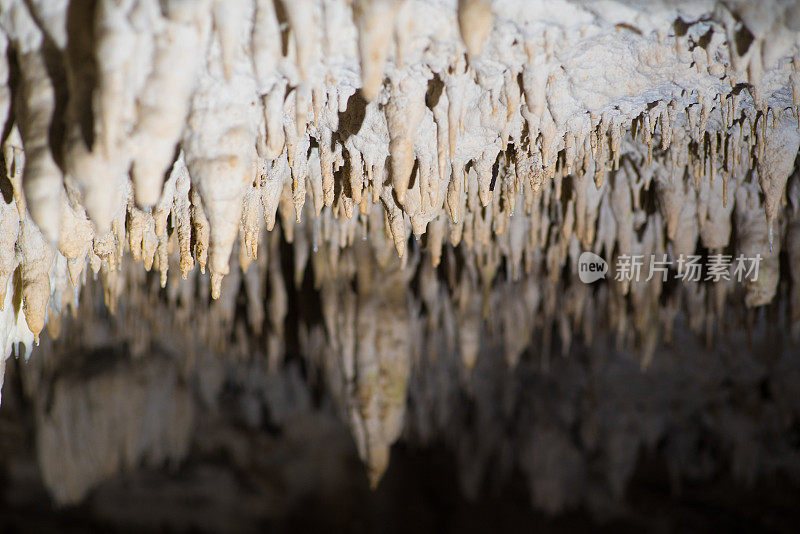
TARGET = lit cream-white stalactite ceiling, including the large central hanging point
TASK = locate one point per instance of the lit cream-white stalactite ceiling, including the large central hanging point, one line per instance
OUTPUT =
(463, 152)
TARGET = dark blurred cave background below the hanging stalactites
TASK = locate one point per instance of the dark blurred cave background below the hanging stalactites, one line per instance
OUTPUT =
(705, 438)
